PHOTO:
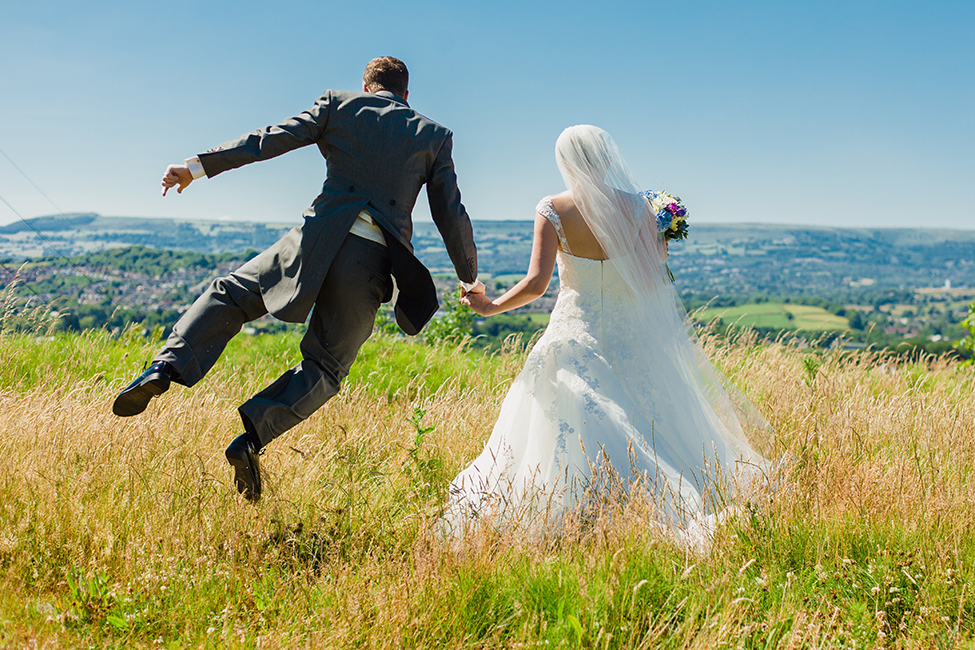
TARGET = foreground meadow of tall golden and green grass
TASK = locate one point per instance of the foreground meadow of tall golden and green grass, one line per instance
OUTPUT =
(128, 533)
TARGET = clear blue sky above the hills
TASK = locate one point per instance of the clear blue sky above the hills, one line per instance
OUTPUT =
(832, 112)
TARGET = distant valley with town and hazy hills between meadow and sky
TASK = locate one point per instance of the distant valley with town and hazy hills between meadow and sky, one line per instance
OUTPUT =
(870, 286)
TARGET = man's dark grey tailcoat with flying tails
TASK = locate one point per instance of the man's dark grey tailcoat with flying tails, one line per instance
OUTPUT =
(379, 153)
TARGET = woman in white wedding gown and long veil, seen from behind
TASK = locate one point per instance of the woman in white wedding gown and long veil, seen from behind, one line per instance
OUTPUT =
(617, 391)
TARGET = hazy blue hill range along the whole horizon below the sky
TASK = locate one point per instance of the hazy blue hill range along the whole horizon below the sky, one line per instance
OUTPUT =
(717, 259)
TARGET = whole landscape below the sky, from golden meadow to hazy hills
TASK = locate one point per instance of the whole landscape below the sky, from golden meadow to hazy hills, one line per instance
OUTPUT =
(128, 533)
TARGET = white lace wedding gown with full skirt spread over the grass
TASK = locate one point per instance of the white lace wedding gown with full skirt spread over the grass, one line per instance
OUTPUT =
(605, 403)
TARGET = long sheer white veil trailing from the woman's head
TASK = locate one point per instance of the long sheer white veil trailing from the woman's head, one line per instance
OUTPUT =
(625, 226)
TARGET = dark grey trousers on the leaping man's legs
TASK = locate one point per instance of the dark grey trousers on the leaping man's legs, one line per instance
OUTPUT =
(357, 283)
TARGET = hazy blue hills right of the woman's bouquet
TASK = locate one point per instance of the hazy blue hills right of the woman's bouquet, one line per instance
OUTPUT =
(790, 260)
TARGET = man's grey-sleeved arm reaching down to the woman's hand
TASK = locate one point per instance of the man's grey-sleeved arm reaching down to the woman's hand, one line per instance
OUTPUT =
(450, 215)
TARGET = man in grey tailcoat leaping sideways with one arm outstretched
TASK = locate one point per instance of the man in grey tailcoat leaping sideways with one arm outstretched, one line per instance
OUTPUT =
(338, 265)
